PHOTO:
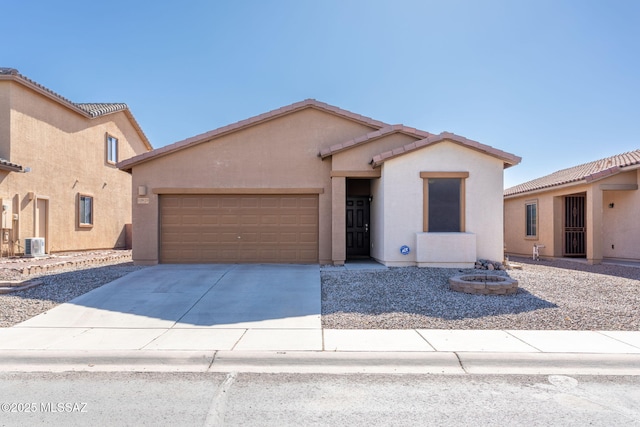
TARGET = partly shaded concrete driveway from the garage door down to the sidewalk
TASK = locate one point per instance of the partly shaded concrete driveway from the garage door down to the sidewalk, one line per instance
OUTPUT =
(217, 295)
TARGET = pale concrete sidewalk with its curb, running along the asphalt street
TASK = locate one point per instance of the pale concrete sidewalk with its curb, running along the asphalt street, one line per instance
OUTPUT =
(320, 351)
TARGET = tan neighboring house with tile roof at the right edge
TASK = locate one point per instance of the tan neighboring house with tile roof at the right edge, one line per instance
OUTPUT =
(588, 211)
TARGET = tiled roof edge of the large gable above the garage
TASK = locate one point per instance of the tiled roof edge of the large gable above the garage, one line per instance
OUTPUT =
(207, 136)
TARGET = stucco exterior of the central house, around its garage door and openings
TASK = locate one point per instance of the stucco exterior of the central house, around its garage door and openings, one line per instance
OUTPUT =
(313, 148)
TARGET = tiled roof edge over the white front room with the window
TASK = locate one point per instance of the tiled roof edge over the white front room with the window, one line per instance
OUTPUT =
(507, 158)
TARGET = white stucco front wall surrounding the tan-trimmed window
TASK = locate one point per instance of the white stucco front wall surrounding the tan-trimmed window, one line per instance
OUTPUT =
(403, 208)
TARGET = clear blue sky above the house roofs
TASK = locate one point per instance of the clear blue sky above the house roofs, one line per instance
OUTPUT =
(556, 82)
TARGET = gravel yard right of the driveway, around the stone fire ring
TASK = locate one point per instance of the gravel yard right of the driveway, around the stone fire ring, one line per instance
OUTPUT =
(556, 294)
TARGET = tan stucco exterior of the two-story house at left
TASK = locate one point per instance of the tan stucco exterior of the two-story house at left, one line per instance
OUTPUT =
(61, 152)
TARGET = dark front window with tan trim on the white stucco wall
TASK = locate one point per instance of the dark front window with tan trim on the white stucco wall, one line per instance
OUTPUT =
(444, 201)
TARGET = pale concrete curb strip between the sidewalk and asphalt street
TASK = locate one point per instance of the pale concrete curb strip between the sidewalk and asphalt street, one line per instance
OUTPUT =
(447, 363)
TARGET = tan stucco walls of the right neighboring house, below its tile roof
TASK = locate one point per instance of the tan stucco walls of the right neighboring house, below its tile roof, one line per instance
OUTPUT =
(612, 228)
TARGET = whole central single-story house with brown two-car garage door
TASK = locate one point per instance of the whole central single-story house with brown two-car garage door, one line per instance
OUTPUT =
(313, 183)
